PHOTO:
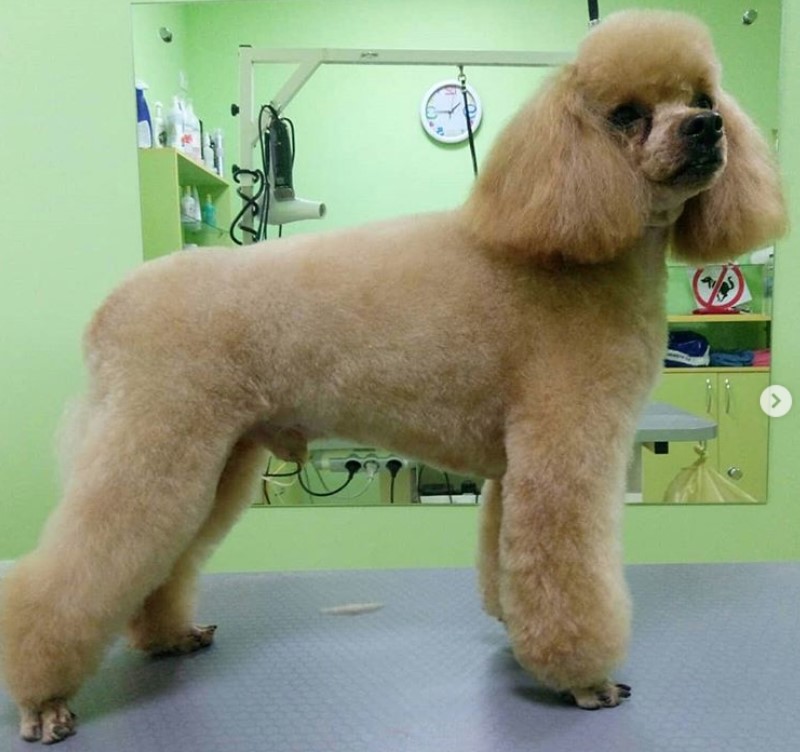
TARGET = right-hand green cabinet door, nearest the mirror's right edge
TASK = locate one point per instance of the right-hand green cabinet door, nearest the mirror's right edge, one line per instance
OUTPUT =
(743, 431)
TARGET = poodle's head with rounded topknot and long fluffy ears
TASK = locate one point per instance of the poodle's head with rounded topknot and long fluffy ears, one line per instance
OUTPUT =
(636, 133)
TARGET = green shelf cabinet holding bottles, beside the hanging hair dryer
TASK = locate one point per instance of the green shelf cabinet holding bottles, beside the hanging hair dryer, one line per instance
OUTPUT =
(163, 176)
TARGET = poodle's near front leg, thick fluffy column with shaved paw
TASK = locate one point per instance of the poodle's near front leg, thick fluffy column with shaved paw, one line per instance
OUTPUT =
(562, 589)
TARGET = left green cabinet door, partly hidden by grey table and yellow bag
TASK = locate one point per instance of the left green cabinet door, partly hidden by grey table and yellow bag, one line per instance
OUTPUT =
(697, 393)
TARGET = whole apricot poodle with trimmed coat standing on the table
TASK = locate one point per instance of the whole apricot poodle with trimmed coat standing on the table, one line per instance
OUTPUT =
(539, 306)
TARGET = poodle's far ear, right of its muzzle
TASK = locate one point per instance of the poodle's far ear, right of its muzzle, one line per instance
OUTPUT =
(744, 209)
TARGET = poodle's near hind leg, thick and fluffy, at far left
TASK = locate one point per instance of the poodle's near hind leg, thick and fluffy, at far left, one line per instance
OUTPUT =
(139, 492)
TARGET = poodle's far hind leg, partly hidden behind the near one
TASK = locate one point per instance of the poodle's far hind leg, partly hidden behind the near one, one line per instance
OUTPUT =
(164, 624)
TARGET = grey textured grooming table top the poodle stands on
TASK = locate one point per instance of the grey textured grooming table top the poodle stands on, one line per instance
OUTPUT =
(714, 666)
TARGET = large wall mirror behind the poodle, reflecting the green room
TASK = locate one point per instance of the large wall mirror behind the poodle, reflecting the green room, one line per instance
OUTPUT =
(357, 139)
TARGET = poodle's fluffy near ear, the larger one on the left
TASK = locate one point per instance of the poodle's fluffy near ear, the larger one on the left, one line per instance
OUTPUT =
(557, 186)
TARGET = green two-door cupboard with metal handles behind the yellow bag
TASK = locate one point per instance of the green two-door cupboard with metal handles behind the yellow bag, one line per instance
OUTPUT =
(731, 398)
